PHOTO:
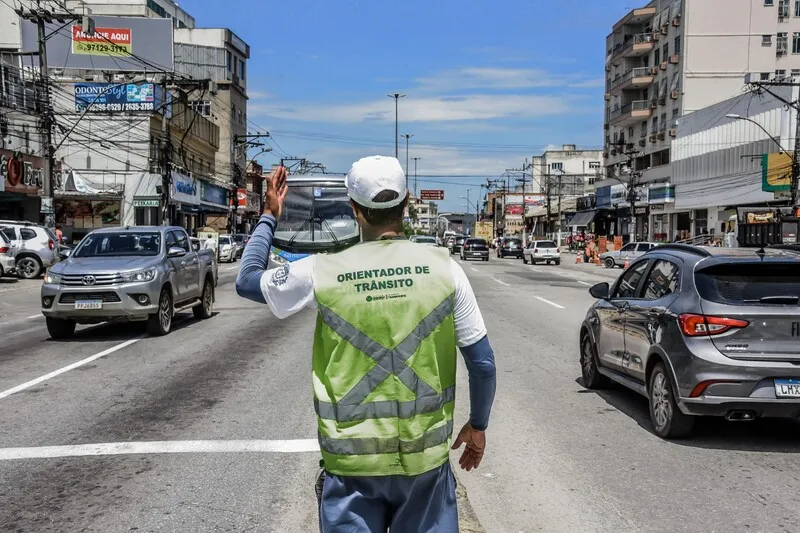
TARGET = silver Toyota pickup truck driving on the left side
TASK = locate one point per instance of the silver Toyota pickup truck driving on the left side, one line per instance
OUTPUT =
(140, 273)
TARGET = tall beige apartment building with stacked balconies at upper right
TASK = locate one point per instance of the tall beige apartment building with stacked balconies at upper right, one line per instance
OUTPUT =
(669, 58)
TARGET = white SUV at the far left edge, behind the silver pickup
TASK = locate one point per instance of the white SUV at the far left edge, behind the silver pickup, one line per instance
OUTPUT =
(35, 247)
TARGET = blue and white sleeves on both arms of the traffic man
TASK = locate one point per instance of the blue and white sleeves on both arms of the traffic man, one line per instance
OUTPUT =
(254, 278)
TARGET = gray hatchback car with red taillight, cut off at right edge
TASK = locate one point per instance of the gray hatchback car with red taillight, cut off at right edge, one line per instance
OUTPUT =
(700, 331)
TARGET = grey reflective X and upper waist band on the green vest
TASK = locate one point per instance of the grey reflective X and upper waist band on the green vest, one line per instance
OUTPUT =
(351, 406)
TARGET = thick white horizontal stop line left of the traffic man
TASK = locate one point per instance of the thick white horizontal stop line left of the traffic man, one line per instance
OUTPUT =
(186, 446)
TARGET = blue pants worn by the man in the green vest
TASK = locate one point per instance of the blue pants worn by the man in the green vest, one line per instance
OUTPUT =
(418, 504)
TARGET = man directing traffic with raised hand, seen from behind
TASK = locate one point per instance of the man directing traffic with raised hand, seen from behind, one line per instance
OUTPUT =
(390, 314)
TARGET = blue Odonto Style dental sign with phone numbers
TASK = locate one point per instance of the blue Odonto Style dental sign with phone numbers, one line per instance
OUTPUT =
(115, 97)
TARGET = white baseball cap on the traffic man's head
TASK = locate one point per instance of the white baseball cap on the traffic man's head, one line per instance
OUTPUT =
(375, 174)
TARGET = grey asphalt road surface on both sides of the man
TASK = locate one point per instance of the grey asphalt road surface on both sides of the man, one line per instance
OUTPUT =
(559, 458)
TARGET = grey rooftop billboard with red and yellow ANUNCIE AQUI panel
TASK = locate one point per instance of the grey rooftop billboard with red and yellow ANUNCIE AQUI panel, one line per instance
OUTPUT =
(127, 44)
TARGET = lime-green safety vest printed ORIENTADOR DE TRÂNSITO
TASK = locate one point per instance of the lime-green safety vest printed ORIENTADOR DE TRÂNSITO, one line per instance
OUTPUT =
(384, 364)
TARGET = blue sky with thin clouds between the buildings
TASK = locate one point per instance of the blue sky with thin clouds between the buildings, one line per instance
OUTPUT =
(487, 83)
